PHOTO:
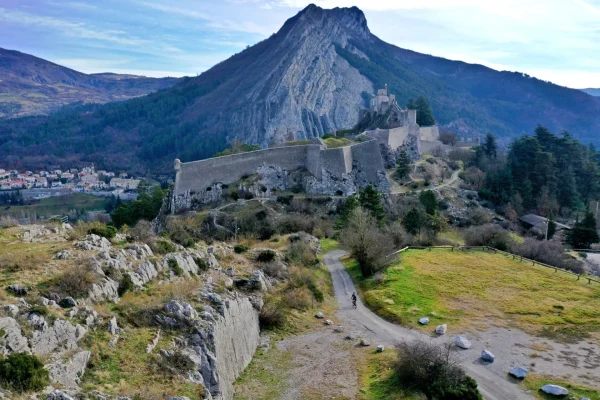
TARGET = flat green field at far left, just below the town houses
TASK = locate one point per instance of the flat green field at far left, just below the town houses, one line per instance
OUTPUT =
(56, 205)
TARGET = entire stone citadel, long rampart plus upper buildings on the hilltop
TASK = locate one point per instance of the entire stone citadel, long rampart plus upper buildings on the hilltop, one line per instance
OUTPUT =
(314, 167)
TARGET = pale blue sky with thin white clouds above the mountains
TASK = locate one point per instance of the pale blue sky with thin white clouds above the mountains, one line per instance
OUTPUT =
(554, 40)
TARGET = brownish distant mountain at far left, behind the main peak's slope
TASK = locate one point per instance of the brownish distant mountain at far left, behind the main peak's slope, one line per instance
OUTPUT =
(32, 86)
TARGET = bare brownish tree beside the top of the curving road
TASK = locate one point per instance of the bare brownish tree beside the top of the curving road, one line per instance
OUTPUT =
(370, 247)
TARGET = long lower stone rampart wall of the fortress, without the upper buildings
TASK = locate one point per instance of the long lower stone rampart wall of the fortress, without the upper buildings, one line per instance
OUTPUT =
(328, 171)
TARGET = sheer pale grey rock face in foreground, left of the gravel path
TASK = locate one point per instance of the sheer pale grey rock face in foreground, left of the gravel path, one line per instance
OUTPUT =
(221, 344)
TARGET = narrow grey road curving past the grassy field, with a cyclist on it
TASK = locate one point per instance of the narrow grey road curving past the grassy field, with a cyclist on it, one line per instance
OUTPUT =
(491, 385)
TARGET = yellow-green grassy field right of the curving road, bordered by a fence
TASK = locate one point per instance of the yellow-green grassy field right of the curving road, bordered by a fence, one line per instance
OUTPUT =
(476, 289)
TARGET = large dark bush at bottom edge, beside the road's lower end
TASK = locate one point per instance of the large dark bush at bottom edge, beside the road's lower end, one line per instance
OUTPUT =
(435, 371)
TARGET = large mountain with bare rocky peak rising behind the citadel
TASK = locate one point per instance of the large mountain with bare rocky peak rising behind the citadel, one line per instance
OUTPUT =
(311, 77)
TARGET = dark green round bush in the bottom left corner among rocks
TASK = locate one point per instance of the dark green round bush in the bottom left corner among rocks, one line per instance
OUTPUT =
(23, 372)
